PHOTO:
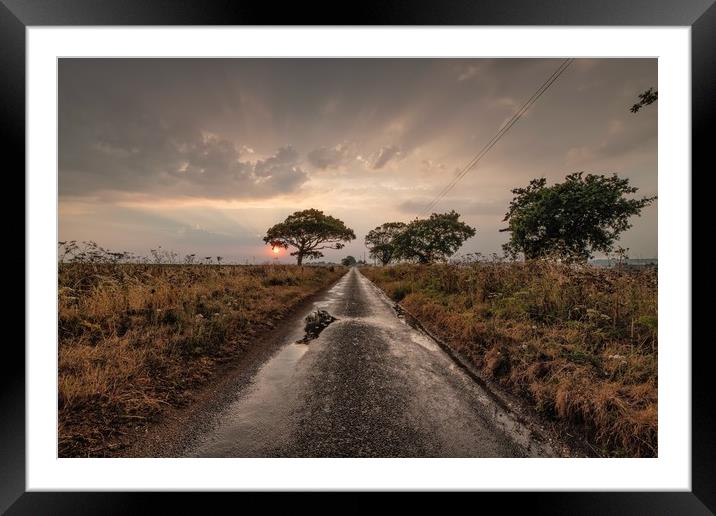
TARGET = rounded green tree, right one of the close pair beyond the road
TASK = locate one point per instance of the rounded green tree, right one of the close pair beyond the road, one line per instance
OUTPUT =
(433, 239)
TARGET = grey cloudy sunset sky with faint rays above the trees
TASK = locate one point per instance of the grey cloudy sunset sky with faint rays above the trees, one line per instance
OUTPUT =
(204, 155)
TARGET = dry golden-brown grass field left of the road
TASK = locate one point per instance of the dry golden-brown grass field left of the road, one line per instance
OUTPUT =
(134, 338)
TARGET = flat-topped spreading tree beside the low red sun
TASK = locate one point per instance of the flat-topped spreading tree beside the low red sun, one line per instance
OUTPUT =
(309, 231)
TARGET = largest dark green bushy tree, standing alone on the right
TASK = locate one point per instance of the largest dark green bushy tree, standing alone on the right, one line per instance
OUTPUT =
(570, 220)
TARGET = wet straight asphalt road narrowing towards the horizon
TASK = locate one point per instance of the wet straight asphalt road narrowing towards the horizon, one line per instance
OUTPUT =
(369, 386)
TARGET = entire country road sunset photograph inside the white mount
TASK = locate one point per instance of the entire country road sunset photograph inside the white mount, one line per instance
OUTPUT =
(357, 257)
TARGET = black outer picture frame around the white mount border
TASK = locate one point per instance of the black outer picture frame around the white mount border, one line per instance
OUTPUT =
(17, 15)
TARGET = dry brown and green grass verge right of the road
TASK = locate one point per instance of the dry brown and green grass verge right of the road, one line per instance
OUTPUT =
(580, 343)
